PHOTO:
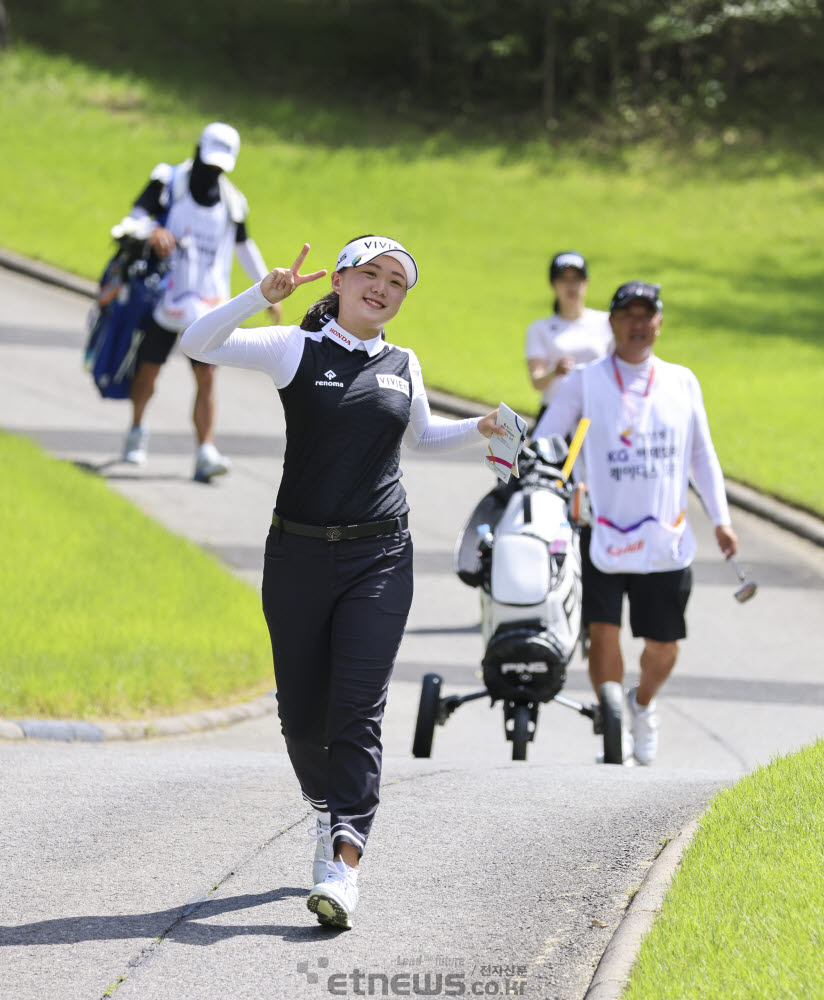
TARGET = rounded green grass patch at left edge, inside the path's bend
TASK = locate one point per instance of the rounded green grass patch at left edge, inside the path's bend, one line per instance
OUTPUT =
(107, 615)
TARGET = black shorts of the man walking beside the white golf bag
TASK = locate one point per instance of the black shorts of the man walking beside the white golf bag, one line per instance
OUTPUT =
(657, 601)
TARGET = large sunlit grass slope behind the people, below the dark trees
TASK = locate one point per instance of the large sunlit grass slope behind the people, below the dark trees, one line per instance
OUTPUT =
(728, 224)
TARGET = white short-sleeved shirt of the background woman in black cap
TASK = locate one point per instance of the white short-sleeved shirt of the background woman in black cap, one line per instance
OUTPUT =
(586, 339)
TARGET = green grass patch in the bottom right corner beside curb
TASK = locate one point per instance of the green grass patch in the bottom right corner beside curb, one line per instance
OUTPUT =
(744, 917)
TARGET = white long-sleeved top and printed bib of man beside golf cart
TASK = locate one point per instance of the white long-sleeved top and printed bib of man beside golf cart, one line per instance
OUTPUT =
(649, 430)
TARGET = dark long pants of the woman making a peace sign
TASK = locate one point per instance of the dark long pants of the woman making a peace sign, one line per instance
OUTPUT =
(336, 613)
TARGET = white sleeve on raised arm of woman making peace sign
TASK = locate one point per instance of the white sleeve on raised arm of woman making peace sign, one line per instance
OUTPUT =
(216, 339)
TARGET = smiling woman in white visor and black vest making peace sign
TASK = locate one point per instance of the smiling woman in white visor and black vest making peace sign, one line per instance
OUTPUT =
(337, 581)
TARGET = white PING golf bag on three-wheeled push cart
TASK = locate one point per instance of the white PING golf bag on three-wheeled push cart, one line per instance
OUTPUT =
(520, 548)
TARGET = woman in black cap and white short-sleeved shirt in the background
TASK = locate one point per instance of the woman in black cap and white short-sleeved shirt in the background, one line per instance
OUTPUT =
(572, 335)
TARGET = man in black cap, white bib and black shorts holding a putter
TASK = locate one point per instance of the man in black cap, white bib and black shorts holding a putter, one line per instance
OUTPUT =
(649, 431)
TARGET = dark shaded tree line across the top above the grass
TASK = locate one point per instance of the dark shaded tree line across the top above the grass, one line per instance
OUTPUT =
(544, 59)
